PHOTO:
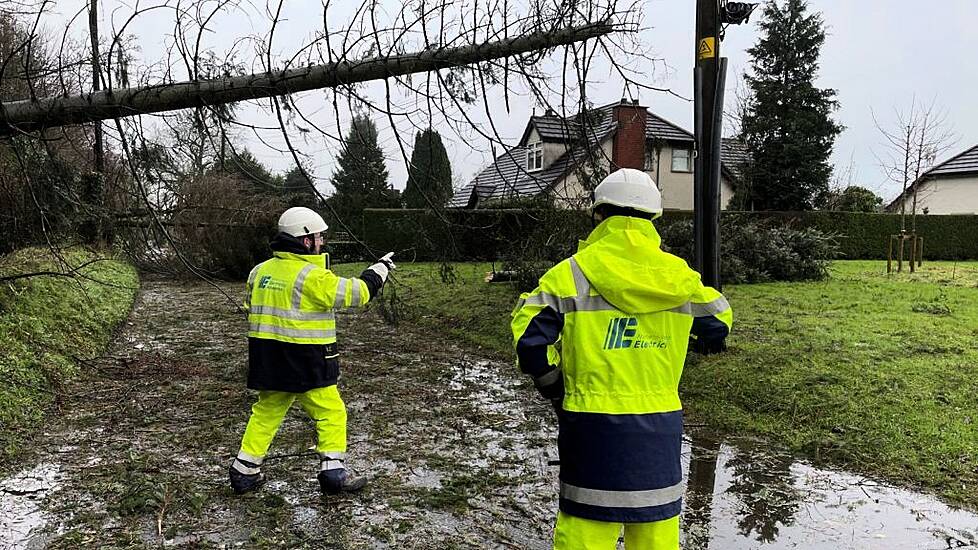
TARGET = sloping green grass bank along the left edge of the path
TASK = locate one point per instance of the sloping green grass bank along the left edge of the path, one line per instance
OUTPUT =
(49, 323)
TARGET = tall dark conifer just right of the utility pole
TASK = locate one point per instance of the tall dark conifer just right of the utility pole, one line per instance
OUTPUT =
(787, 122)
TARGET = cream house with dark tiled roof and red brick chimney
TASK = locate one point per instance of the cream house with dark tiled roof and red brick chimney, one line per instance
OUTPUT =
(562, 158)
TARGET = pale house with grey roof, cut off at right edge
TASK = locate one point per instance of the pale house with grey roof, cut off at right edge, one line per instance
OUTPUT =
(950, 187)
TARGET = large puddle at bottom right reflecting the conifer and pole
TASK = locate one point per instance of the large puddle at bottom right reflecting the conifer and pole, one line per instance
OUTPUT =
(741, 495)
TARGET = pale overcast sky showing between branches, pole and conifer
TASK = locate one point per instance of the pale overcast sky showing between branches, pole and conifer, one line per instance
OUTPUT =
(879, 54)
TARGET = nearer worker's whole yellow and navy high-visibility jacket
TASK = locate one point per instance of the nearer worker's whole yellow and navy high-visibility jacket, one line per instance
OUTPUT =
(605, 335)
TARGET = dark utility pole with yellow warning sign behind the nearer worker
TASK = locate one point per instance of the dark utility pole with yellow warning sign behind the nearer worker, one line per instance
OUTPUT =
(709, 76)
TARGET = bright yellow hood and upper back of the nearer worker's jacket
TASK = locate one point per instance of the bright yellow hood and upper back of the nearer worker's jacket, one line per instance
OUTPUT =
(624, 353)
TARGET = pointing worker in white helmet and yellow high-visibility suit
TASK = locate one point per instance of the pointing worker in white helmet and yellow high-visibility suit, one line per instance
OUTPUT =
(292, 353)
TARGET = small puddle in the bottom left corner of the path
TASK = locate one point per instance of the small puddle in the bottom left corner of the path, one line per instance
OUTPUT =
(21, 503)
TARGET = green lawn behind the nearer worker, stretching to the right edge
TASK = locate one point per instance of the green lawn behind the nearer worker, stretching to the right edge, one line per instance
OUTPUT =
(875, 373)
